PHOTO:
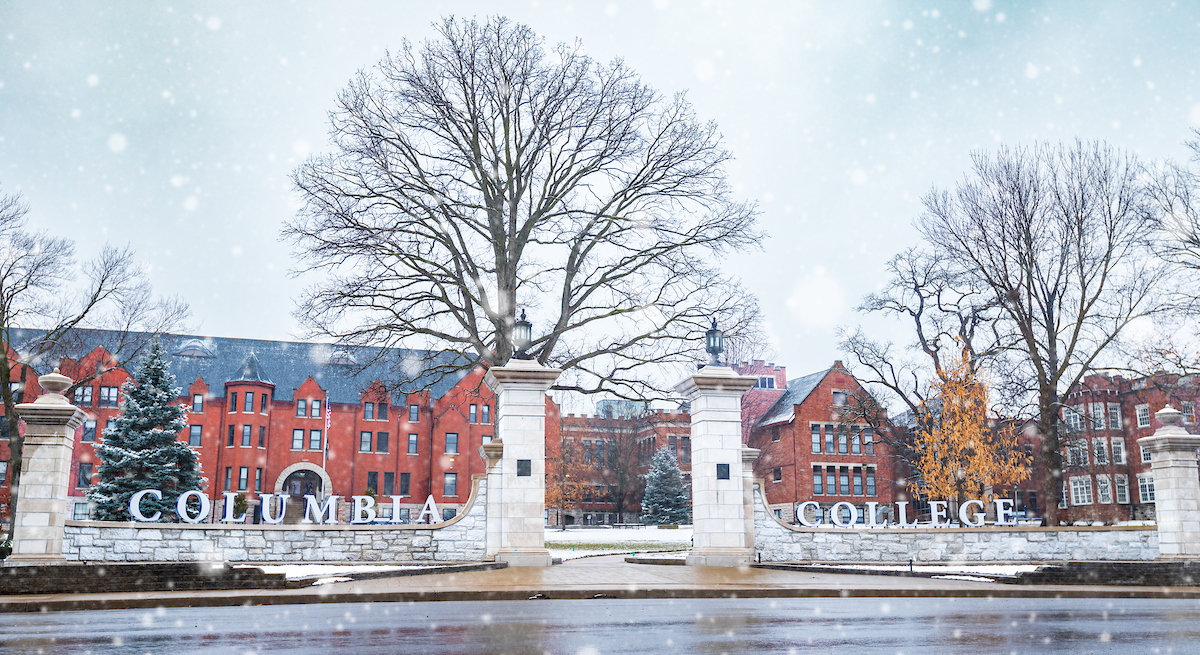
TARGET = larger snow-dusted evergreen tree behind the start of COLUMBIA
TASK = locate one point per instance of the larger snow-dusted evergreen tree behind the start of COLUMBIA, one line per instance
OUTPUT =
(141, 450)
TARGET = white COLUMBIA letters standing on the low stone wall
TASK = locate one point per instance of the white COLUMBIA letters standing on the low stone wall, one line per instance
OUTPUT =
(316, 512)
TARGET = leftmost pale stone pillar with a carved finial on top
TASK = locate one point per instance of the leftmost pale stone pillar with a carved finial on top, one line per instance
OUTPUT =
(51, 423)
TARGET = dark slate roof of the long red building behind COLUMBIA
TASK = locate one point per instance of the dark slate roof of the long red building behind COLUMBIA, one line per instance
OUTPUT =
(285, 364)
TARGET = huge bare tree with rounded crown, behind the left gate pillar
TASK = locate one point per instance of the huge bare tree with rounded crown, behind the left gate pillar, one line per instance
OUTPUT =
(482, 171)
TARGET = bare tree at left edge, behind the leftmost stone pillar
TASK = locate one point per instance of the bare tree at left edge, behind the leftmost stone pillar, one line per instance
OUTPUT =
(41, 316)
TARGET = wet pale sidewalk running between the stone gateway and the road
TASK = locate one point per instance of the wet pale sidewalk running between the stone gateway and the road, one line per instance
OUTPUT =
(586, 579)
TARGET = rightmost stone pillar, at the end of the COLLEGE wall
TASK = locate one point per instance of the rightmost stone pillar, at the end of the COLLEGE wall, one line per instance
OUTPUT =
(1177, 486)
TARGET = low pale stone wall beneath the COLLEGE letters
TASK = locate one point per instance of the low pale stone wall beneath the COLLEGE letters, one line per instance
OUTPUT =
(778, 542)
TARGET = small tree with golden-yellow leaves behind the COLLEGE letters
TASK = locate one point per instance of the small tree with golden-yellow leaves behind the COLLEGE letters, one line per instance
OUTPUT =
(962, 452)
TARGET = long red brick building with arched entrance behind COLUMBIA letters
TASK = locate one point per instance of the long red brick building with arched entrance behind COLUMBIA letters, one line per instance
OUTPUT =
(271, 417)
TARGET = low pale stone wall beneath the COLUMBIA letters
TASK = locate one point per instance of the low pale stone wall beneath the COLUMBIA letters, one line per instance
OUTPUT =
(461, 539)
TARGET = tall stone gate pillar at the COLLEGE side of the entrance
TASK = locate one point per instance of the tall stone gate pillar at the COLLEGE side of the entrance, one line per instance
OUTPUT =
(718, 471)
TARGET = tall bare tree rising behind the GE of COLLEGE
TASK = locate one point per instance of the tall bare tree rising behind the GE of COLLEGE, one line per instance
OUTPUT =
(1060, 238)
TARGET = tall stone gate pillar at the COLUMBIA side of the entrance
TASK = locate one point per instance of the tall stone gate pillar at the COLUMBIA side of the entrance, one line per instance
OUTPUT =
(520, 389)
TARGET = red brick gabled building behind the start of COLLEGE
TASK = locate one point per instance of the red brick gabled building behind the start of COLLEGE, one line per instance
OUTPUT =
(813, 452)
